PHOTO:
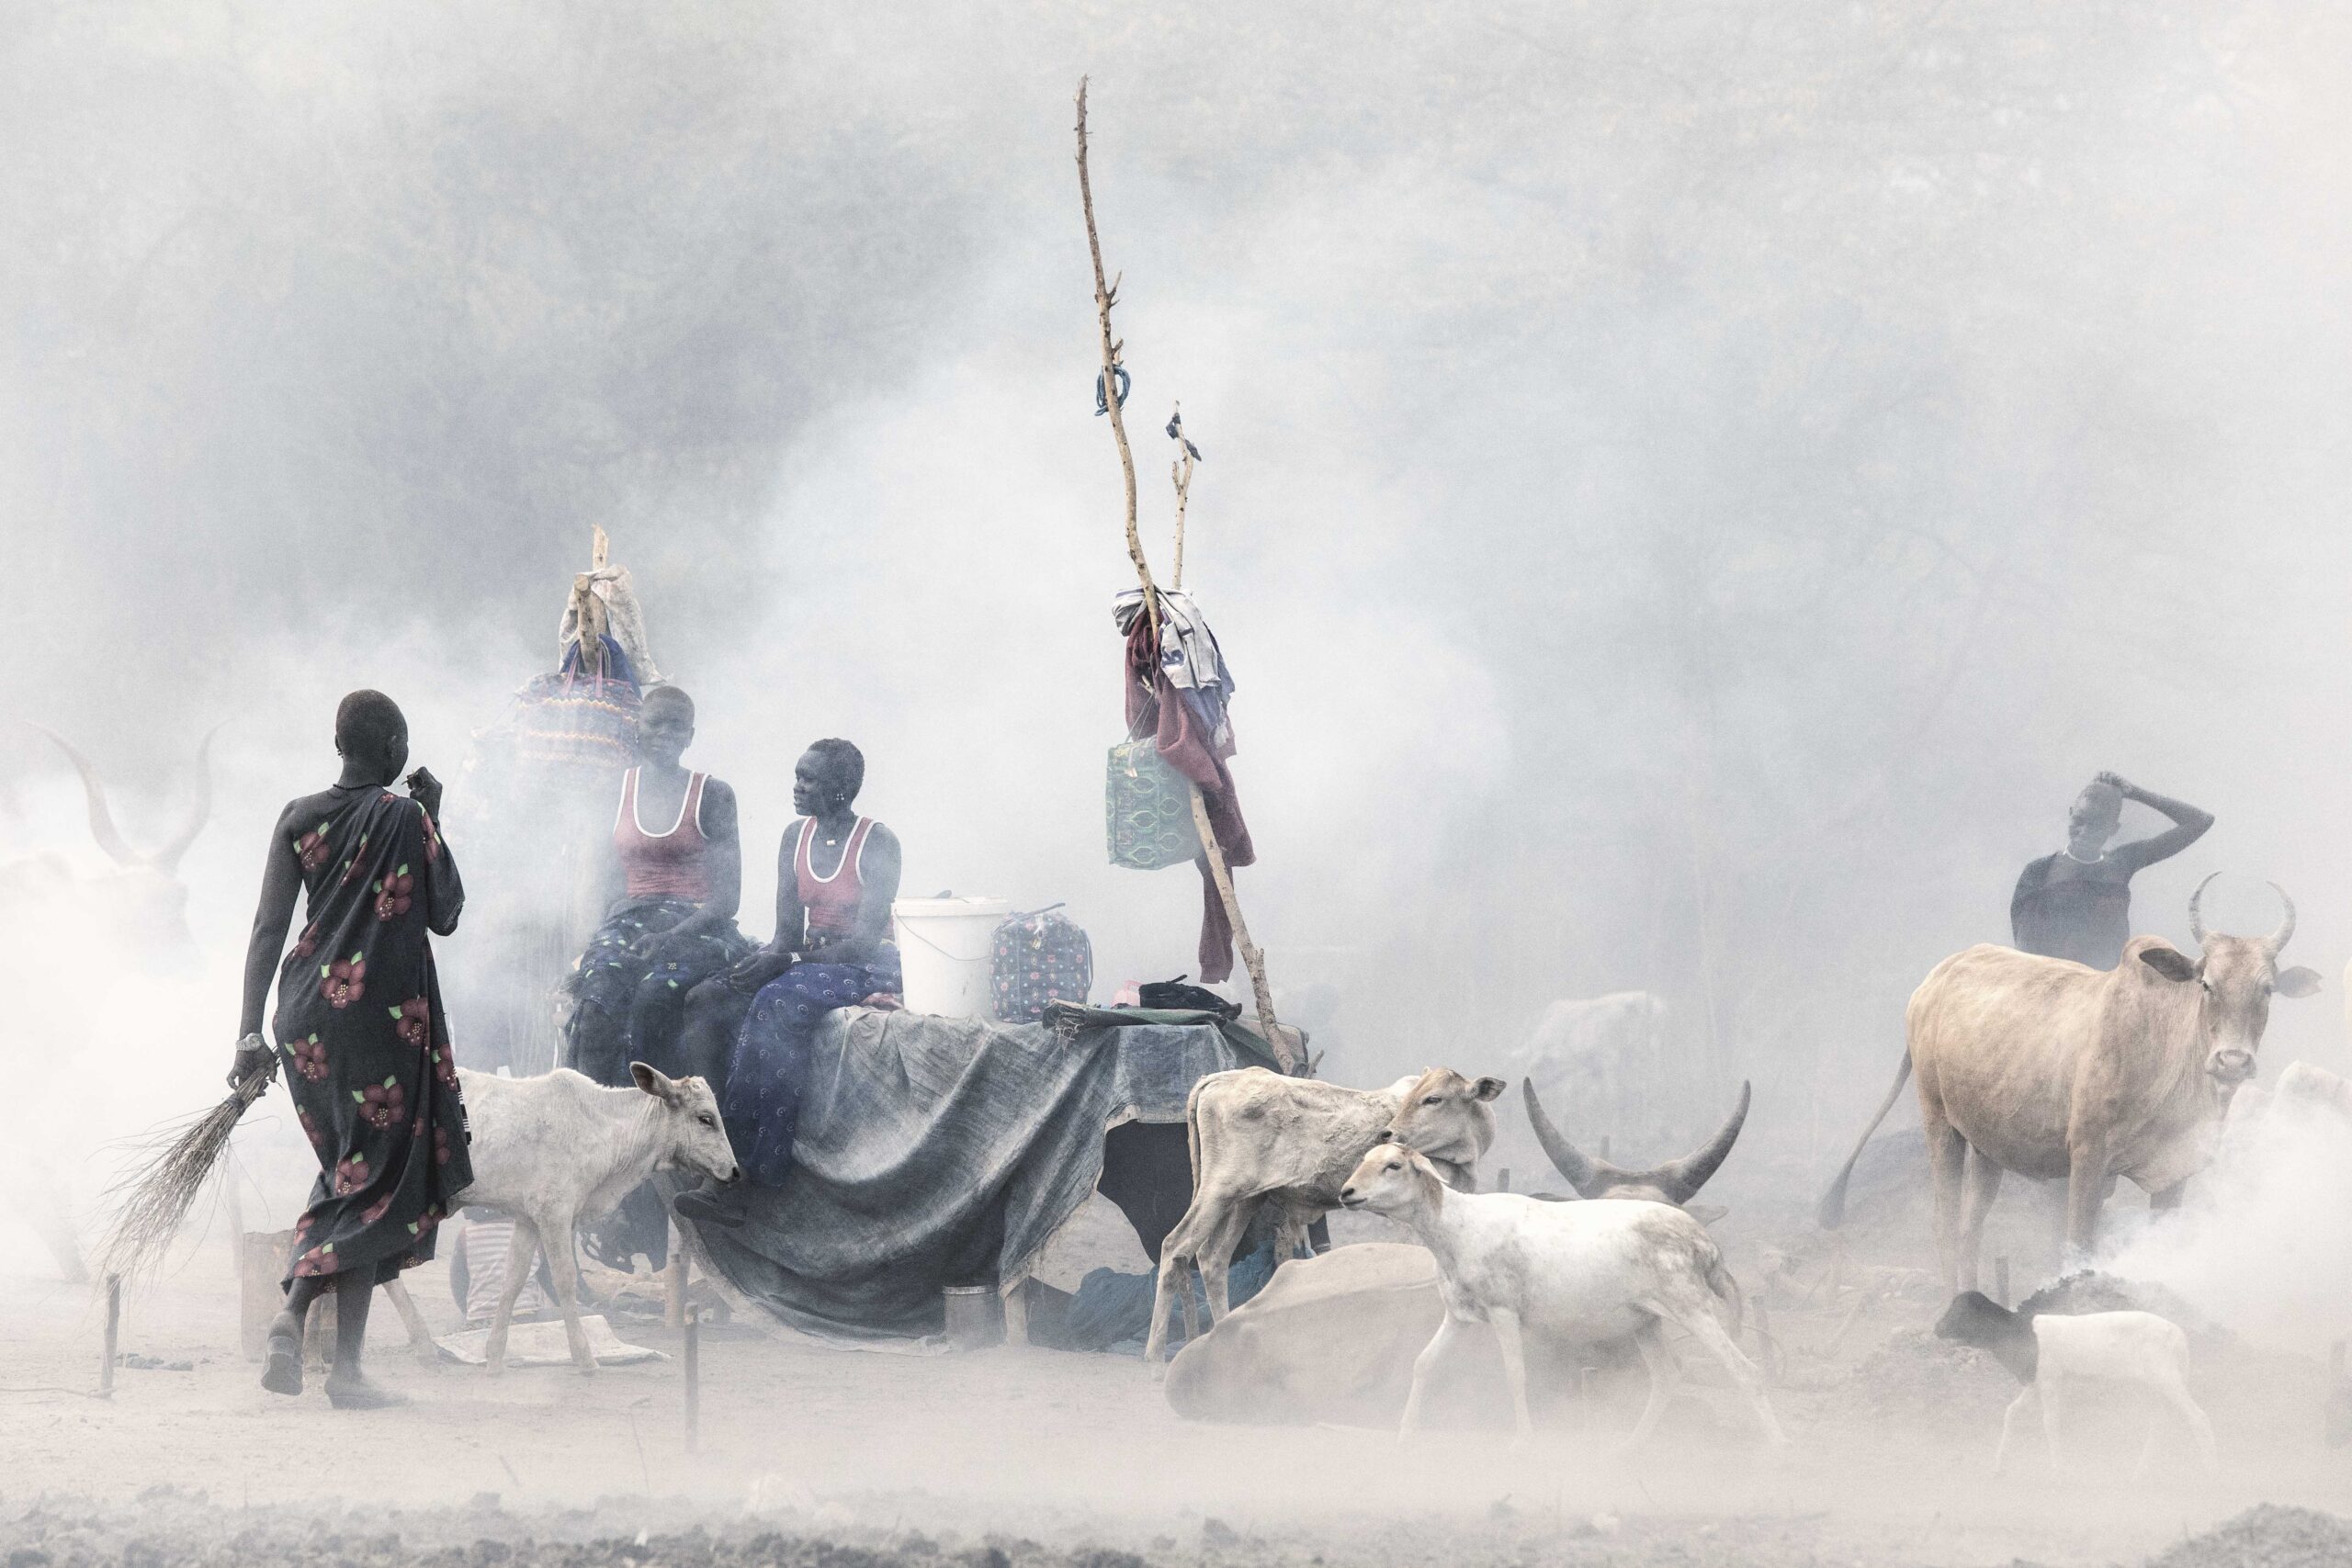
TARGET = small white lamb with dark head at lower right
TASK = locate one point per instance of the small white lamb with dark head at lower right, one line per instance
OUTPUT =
(2054, 1353)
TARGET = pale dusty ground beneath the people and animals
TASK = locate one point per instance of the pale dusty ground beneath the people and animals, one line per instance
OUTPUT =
(827, 1456)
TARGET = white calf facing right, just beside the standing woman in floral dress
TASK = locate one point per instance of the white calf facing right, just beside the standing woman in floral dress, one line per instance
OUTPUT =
(556, 1151)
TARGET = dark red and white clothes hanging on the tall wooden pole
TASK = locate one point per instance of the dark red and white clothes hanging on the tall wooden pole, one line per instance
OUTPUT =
(1182, 704)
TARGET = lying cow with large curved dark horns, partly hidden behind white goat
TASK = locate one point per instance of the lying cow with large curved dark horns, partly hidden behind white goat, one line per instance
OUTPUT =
(1335, 1339)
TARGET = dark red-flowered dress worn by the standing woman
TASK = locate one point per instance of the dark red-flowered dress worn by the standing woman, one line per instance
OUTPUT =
(363, 1038)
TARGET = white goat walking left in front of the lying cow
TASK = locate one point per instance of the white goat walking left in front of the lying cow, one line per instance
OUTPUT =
(1577, 1273)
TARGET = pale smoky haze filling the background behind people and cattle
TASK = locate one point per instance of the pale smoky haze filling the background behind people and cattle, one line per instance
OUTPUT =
(1690, 495)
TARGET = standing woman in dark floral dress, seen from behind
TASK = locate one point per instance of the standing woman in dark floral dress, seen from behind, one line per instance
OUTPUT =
(361, 1033)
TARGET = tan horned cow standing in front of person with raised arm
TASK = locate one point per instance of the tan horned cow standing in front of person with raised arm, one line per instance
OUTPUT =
(2052, 1068)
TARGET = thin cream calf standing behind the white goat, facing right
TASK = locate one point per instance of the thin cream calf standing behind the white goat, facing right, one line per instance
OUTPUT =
(1259, 1137)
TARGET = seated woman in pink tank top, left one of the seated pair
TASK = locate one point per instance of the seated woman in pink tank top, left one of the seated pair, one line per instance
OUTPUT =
(674, 883)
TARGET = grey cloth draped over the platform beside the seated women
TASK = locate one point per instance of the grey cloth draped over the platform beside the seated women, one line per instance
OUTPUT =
(949, 1151)
